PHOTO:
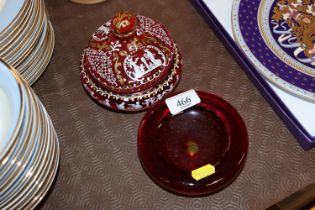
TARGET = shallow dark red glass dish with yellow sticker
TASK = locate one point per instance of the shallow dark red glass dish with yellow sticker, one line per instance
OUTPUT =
(170, 147)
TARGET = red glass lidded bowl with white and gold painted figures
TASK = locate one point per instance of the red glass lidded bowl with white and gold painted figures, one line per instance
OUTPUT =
(131, 62)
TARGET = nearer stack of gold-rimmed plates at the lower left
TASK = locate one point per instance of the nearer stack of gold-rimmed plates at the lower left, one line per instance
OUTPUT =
(29, 149)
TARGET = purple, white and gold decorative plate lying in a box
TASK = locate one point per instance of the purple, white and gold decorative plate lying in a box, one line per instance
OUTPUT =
(278, 36)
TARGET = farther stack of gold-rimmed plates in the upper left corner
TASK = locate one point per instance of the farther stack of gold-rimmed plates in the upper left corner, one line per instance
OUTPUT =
(26, 36)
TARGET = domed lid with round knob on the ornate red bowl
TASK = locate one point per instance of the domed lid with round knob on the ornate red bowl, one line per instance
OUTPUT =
(129, 54)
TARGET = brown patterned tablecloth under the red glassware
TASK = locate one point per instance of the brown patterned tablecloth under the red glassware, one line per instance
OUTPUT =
(99, 167)
